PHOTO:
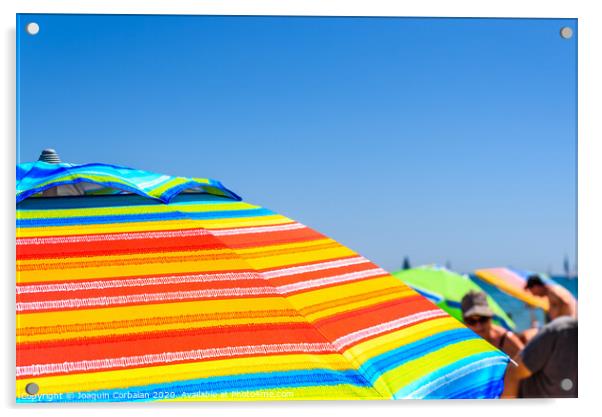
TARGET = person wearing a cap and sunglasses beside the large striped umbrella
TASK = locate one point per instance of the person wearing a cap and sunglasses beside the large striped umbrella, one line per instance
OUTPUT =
(477, 316)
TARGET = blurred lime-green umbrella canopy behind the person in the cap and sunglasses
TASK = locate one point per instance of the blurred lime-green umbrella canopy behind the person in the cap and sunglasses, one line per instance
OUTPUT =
(446, 289)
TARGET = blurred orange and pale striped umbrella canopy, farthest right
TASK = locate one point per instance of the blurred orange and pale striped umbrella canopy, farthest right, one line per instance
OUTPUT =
(513, 281)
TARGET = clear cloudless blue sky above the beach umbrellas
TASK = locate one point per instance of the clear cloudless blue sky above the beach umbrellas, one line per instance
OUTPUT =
(441, 139)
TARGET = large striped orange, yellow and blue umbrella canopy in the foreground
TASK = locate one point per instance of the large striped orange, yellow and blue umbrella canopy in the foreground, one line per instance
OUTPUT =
(127, 298)
